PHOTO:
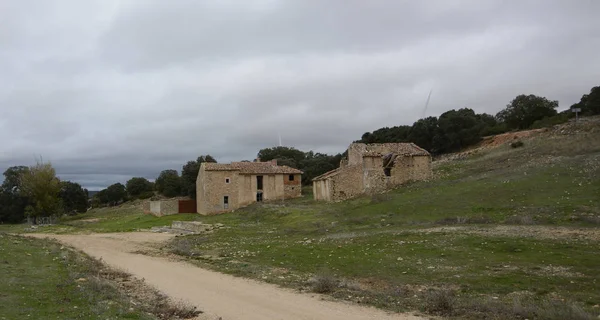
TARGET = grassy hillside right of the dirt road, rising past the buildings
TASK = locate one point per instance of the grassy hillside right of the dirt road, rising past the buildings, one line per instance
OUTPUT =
(508, 233)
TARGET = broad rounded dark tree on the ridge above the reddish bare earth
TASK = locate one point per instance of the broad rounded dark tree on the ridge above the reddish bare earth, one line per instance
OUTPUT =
(524, 110)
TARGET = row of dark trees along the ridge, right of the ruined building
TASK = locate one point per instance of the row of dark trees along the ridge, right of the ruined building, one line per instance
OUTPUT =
(456, 129)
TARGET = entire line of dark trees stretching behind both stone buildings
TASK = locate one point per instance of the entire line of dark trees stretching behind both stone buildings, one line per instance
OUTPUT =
(36, 191)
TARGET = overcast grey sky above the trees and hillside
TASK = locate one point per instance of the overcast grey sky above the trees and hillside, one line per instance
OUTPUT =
(107, 90)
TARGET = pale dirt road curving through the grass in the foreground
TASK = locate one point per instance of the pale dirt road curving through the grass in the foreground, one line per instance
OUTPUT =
(218, 295)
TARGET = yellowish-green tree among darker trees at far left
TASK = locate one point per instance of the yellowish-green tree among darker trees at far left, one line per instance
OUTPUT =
(42, 187)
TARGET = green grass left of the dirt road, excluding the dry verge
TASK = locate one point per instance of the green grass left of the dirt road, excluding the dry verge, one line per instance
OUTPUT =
(40, 281)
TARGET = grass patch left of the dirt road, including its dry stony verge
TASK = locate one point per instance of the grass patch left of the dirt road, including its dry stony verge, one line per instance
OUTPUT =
(42, 279)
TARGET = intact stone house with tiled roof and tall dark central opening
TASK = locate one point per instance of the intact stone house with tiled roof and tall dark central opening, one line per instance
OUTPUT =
(225, 187)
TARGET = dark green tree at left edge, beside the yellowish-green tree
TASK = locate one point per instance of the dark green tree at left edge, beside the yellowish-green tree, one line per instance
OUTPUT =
(12, 201)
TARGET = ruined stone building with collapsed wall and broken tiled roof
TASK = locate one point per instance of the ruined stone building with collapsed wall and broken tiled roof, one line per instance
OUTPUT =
(372, 168)
